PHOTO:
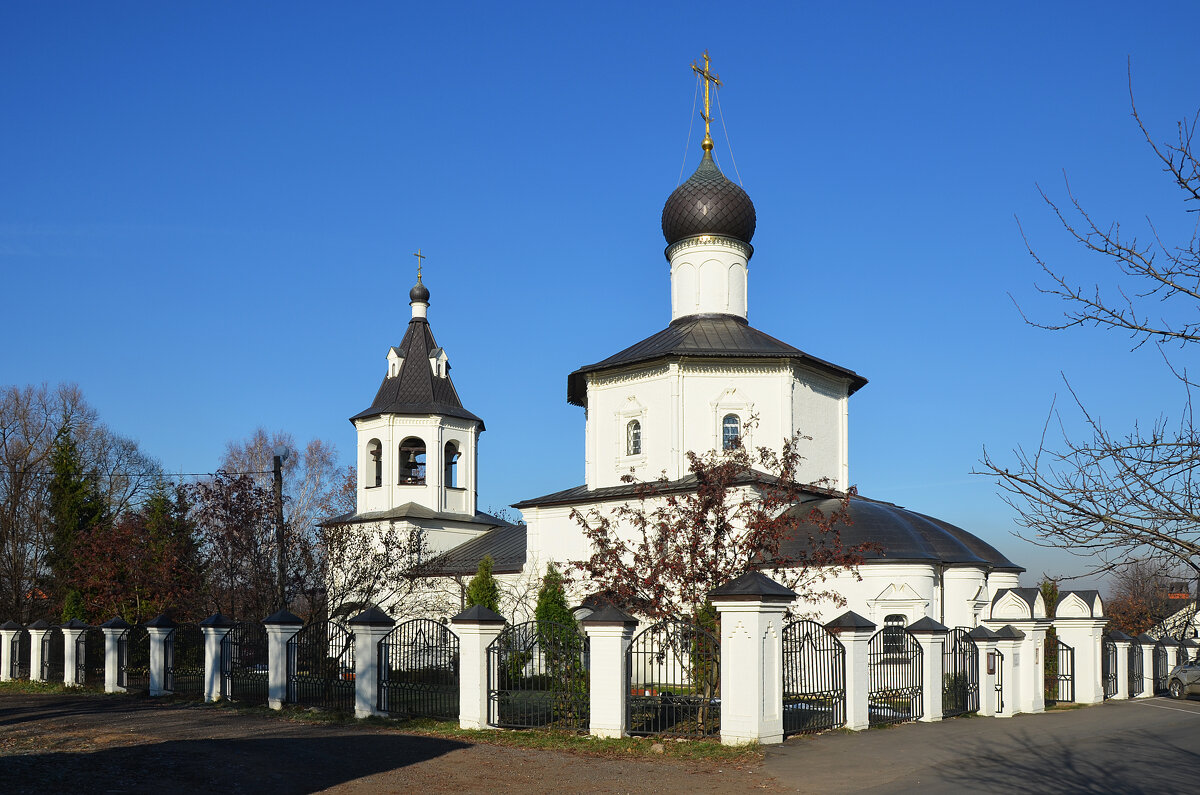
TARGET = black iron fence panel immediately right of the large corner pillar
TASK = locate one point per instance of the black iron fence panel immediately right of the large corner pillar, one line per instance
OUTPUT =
(814, 679)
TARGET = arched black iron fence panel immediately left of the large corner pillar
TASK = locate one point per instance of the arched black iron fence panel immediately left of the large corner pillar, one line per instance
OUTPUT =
(675, 680)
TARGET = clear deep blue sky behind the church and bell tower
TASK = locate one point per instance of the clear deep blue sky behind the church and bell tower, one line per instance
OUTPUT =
(208, 211)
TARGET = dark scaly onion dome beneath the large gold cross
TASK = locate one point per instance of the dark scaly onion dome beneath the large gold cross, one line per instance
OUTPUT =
(709, 204)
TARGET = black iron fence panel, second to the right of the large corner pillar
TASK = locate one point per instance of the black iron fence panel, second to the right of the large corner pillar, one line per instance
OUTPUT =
(895, 676)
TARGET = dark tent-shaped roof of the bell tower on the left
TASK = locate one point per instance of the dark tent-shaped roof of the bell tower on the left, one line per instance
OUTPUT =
(416, 390)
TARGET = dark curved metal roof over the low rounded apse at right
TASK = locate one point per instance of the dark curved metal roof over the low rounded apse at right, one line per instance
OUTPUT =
(904, 536)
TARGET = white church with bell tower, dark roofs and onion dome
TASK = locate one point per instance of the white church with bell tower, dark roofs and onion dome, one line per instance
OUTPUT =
(693, 386)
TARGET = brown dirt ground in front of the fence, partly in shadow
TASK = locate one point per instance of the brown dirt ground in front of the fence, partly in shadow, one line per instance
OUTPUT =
(97, 744)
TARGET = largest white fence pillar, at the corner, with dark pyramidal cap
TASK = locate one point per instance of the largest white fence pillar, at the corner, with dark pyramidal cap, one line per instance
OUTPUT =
(752, 611)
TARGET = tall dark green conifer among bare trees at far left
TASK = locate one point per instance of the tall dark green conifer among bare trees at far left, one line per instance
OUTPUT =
(76, 506)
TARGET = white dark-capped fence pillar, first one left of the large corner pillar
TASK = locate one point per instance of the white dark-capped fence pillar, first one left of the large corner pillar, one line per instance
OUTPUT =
(610, 633)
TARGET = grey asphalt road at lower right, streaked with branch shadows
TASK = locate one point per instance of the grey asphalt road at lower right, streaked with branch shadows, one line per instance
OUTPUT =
(1142, 746)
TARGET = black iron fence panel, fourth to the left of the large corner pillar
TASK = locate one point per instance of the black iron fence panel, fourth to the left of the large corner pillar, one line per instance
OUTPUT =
(321, 667)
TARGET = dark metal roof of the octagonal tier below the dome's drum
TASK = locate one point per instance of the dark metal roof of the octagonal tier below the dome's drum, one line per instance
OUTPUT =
(706, 337)
